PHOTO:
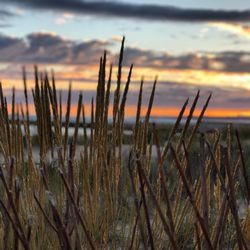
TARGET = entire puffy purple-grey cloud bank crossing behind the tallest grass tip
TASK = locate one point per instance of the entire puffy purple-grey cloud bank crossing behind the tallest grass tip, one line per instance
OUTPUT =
(48, 48)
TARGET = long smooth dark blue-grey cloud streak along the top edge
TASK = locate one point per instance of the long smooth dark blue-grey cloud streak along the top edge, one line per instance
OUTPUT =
(139, 11)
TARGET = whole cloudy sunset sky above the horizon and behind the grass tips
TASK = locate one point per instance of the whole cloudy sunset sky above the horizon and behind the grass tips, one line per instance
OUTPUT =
(190, 45)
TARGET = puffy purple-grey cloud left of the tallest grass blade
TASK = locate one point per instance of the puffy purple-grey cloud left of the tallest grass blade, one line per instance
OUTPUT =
(47, 48)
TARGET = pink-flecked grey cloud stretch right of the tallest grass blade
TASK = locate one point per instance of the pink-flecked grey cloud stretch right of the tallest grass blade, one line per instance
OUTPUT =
(228, 61)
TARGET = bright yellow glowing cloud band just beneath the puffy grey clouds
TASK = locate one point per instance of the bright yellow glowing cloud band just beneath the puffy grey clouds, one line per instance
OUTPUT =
(86, 79)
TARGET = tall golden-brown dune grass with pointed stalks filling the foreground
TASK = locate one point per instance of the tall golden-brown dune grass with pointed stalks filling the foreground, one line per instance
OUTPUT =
(98, 200)
